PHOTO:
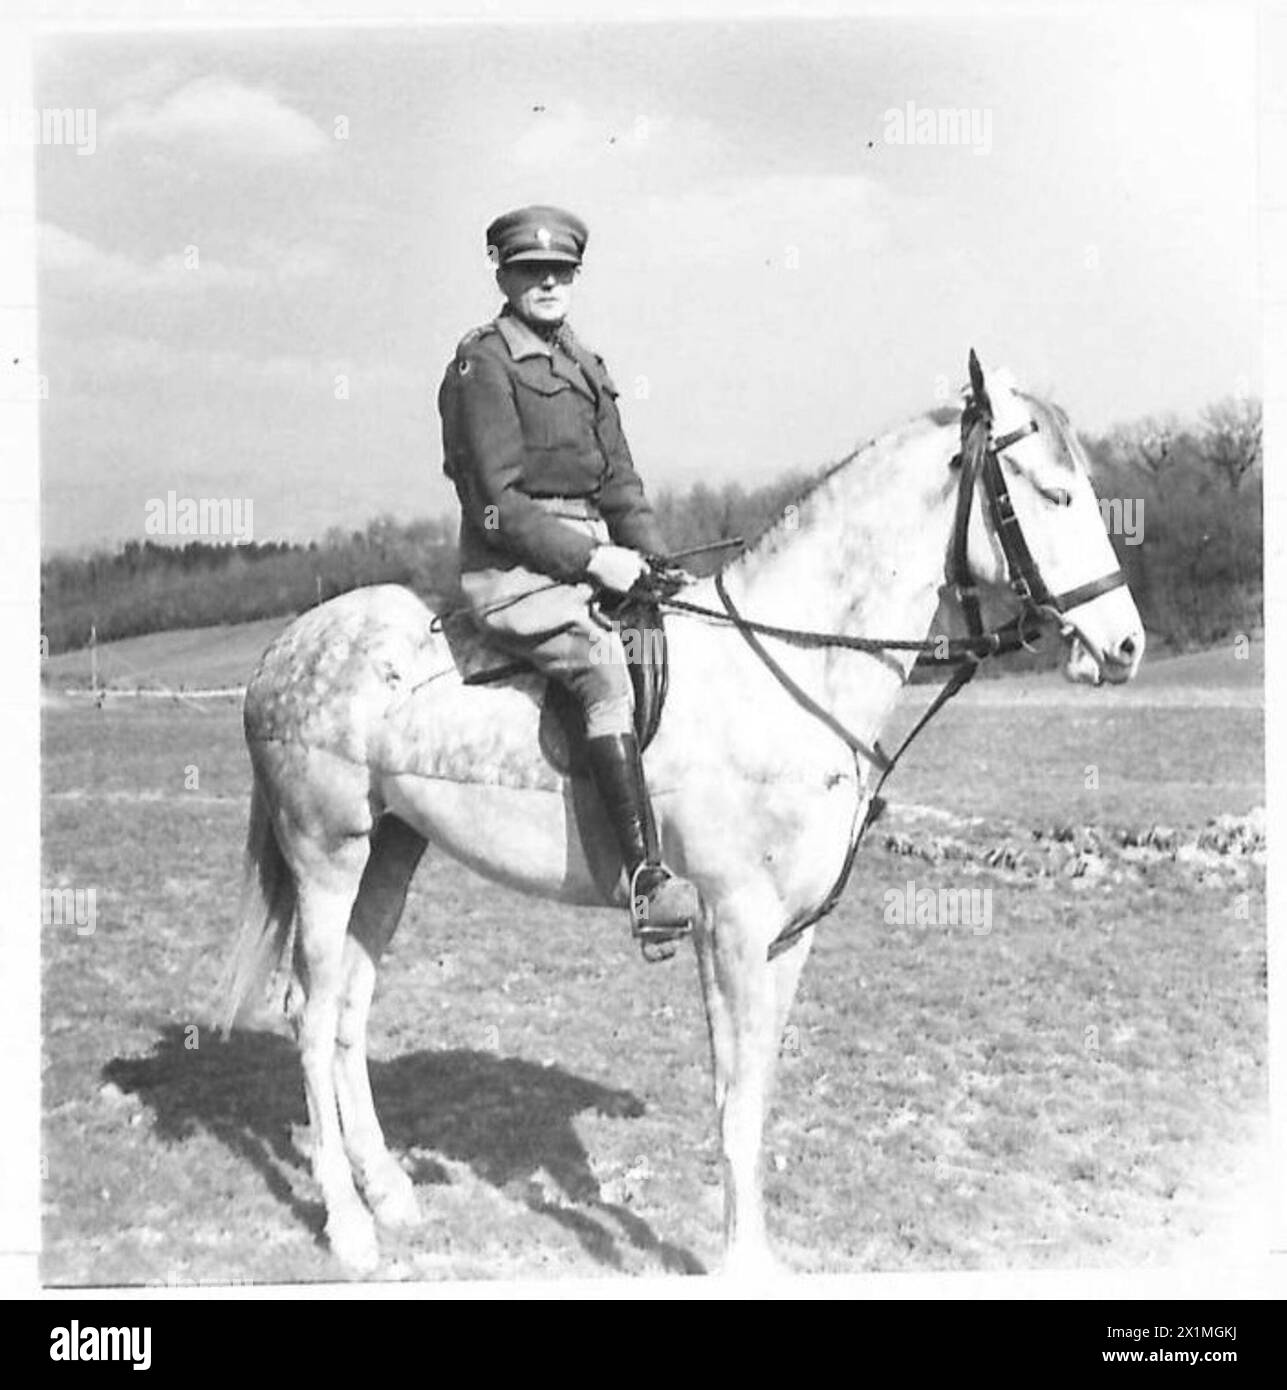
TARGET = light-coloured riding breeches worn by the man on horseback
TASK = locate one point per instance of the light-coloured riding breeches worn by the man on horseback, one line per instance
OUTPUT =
(550, 626)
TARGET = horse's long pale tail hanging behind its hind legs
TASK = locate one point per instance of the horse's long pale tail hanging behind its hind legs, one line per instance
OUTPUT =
(262, 968)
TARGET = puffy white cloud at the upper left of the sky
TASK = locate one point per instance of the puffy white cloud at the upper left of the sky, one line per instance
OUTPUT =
(223, 116)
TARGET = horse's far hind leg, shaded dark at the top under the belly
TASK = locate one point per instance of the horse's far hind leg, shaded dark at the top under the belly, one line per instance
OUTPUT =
(395, 856)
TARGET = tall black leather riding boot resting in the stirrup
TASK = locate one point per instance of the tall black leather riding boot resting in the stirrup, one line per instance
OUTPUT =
(662, 904)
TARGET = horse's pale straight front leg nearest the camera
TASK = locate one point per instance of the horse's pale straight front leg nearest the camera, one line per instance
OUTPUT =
(740, 988)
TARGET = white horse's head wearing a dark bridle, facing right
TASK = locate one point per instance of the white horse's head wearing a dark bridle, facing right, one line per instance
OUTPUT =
(1031, 546)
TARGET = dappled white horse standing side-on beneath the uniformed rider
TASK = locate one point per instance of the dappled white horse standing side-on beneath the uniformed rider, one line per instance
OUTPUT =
(368, 746)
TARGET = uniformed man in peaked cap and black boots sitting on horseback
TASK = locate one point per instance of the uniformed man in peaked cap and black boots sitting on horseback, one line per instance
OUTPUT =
(555, 515)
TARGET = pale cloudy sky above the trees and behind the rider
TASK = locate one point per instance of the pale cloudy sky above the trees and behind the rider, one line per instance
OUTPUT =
(771, 276)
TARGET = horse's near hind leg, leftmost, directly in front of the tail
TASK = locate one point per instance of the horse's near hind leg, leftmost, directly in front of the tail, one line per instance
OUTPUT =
(329, 883)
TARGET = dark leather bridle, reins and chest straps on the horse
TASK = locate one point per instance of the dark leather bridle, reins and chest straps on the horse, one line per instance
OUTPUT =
(979, 458)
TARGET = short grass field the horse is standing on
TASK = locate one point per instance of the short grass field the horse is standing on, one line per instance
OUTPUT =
(1054, 1093)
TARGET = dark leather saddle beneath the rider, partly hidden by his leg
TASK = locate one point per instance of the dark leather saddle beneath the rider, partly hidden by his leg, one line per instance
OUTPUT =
(562, 723)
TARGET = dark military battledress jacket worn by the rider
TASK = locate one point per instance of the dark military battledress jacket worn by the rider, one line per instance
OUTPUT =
(526, 419)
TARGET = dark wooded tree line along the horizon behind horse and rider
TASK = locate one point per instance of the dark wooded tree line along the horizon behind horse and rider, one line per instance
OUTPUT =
(1193, 491)
